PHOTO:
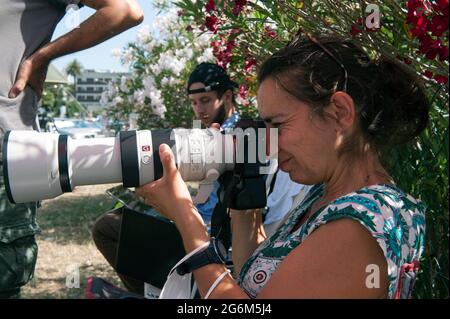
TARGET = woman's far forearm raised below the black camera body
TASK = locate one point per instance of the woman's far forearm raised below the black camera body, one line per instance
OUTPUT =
(247, 234)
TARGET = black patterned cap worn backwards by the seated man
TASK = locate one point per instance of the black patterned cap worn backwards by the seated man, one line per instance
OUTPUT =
(212, 76)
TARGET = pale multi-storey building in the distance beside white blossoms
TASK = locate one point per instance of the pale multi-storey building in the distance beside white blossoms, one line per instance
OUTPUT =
(90, 85)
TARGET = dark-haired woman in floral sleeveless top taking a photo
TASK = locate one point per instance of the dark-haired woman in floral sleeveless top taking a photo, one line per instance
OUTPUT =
(356, 233)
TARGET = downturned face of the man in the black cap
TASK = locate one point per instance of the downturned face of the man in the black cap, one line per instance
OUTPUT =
(208, 108)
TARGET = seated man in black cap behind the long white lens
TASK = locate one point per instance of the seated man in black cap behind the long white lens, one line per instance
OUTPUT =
(211, 92)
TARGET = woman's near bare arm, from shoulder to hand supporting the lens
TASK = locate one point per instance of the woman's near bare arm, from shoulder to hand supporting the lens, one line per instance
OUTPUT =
(331, 263)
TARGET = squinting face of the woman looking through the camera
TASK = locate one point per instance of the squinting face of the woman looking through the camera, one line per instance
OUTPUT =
(306, 143)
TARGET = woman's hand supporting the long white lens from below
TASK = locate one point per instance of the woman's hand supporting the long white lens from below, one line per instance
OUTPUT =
(169, 195)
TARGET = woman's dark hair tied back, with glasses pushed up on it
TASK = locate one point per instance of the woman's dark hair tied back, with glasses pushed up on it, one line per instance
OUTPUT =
(390, 101)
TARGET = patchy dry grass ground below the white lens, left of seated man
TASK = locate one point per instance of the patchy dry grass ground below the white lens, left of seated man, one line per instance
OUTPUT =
(66, 244)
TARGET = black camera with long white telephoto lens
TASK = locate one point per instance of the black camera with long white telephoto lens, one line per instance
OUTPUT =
(39, 166)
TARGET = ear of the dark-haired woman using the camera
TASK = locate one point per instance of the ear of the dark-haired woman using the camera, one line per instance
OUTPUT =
(342, 109)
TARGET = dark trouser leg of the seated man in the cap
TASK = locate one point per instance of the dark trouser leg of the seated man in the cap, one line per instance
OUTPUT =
(106, 237)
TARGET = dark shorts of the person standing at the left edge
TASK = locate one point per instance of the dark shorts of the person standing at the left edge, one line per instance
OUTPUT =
(17, 263)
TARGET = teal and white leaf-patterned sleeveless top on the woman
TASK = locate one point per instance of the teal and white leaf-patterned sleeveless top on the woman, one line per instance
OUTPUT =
(396, 220)
